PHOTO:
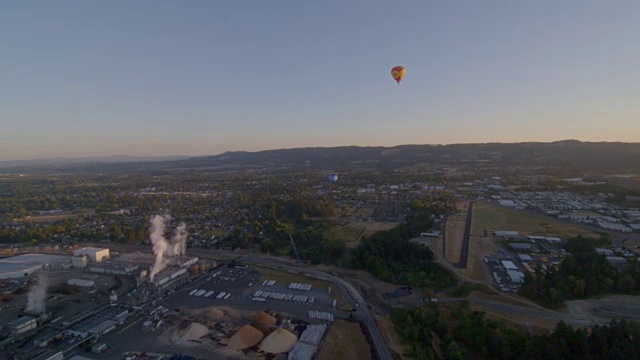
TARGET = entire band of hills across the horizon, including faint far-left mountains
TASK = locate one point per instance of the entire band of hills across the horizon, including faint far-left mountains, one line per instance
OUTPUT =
(566, 153)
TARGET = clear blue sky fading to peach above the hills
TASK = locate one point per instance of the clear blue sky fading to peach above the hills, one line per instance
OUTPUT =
(202, 77)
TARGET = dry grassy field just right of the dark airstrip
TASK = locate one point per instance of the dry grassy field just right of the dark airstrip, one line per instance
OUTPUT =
(492, 217)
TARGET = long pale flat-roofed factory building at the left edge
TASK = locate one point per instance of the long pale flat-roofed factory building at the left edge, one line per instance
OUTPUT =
(19, 266)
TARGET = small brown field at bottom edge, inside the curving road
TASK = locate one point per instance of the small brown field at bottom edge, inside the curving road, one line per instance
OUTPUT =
(345, 341)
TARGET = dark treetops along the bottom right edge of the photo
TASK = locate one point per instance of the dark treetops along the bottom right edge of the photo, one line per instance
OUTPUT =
(470, 335)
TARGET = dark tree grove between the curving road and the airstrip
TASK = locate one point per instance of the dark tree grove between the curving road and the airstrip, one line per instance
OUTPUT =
(390, 256)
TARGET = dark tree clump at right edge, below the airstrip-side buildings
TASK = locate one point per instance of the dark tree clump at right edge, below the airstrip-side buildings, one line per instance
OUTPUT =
(583, 274)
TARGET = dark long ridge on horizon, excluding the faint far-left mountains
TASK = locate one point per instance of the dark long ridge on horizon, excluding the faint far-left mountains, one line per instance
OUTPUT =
(570, 153)
